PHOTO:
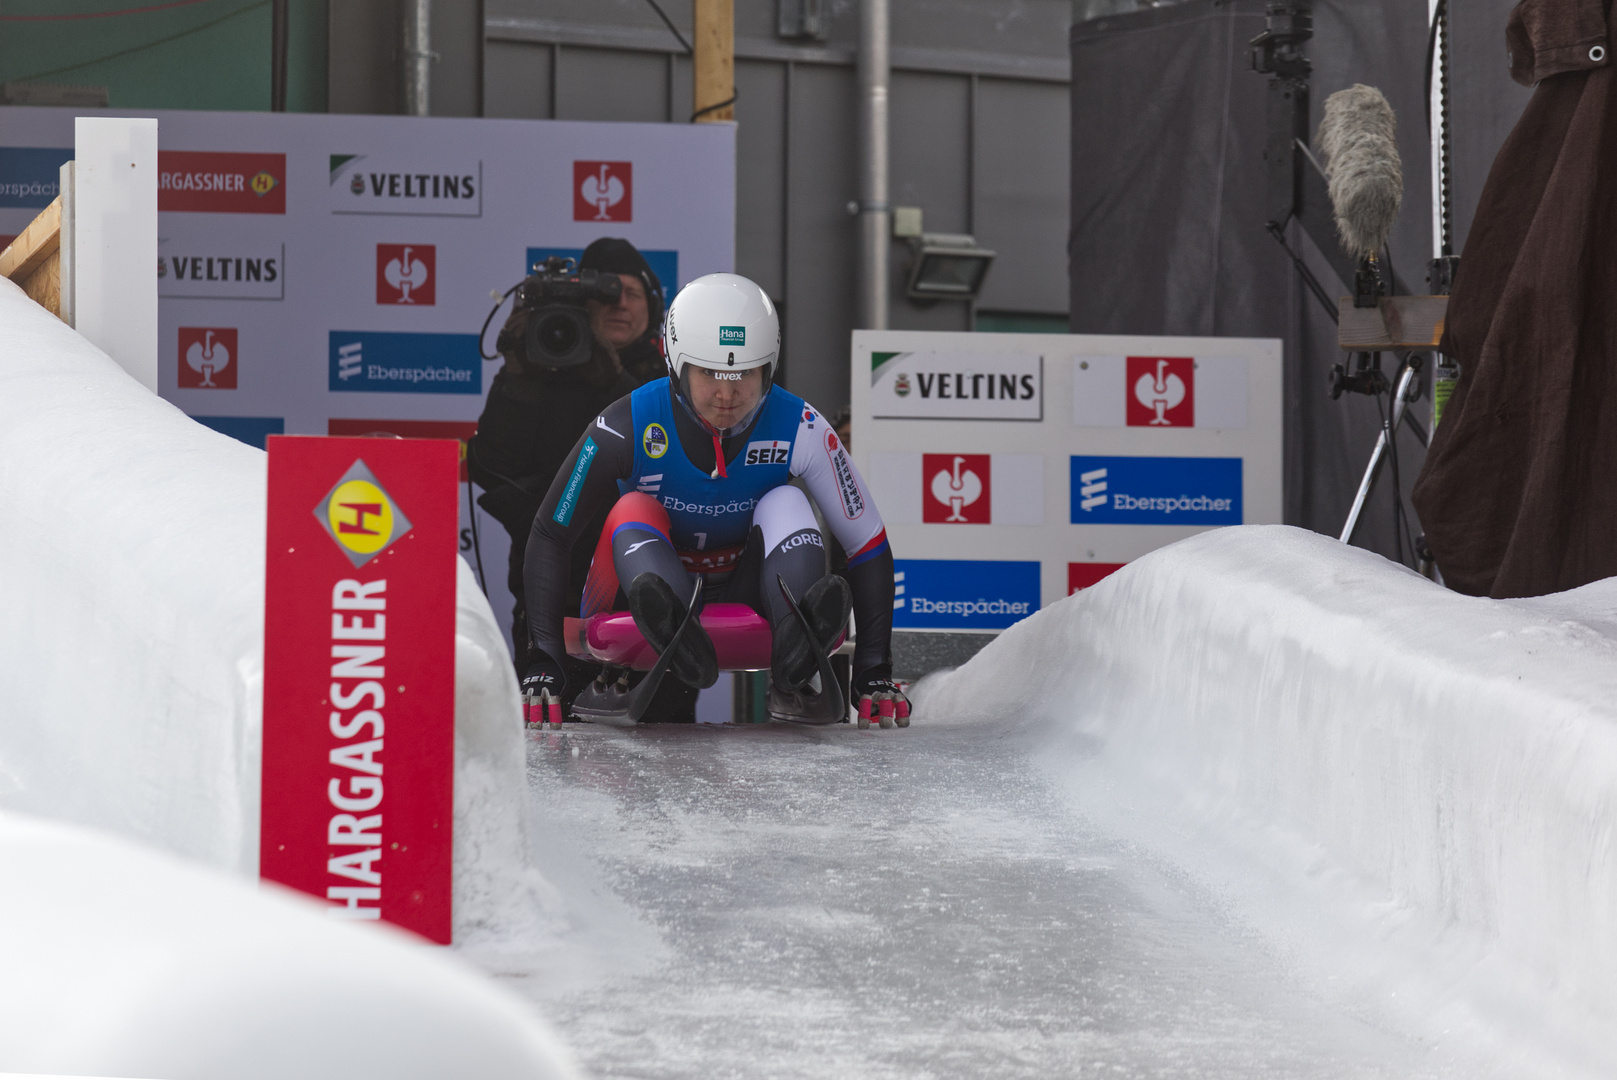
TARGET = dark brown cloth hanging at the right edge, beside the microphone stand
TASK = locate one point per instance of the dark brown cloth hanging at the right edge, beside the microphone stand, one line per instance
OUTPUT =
(1519, 494)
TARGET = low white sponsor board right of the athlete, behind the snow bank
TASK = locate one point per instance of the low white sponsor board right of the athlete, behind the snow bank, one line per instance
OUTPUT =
(1016, 470)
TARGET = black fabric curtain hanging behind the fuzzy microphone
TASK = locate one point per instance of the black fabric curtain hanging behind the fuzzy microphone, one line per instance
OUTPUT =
(1168, 211)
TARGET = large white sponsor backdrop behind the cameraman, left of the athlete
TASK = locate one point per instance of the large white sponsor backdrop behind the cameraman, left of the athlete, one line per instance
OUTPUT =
(323, 268)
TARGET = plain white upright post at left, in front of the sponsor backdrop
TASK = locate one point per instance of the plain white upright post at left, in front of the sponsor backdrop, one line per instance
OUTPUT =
(116, 240)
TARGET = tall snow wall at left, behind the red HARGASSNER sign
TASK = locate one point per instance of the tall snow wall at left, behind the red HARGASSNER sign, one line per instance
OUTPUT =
(132, 631)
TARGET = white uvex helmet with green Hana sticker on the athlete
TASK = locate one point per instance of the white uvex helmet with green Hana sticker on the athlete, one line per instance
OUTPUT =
(722, 323)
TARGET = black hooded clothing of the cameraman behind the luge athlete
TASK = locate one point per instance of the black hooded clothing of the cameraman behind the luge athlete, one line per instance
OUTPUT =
(534, 415)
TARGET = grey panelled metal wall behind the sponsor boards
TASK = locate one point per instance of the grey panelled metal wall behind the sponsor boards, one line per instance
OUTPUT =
(981, 119)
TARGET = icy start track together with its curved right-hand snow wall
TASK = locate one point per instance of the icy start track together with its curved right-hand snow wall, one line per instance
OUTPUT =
(1259, 806)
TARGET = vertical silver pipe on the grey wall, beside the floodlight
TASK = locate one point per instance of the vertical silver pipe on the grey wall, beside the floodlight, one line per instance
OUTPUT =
(874, 213)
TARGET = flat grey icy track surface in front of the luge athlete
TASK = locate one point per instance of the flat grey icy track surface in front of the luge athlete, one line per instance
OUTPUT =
(796, 903)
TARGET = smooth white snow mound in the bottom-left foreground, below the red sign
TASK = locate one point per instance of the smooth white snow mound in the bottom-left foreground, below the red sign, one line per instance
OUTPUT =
(119, 961)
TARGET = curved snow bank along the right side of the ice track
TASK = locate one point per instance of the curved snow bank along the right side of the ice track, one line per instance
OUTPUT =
(1454, 759)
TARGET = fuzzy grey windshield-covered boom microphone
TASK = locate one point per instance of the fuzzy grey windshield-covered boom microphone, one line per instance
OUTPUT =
(1362, 167)
